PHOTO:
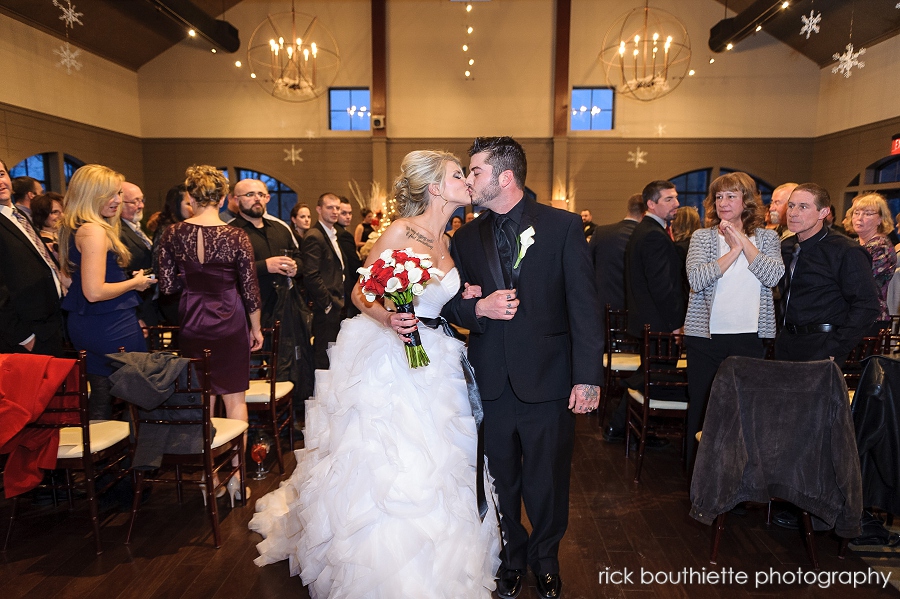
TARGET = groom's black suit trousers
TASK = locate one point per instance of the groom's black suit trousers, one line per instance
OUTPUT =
(529, 451)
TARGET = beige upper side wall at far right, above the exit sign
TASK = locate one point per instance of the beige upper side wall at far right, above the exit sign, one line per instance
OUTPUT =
(869, 95)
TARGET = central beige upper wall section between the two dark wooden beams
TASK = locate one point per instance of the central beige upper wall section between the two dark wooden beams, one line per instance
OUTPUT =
(511, 89)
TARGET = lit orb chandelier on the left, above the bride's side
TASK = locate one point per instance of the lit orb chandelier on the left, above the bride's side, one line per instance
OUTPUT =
(293, 56)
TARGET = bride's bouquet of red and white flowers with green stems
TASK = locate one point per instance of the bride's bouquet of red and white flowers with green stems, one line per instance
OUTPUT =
(399, 275)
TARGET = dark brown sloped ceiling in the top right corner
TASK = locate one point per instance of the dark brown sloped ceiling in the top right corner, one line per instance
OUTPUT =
(873, 21)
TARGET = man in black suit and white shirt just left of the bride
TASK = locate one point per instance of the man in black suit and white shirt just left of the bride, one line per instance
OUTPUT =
(323, 276)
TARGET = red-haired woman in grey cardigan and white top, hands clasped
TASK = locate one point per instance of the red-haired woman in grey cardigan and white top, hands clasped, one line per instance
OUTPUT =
(731, 267)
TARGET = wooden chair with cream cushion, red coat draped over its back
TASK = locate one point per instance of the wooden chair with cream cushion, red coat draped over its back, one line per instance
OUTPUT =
(108, 440)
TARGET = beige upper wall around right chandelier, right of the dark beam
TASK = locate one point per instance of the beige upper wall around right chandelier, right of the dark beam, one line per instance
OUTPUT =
(753, 91)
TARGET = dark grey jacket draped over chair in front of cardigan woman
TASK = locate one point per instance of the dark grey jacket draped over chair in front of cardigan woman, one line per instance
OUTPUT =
(779, 429)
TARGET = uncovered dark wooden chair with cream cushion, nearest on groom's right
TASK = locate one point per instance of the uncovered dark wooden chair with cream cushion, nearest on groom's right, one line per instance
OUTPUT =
(656, 410)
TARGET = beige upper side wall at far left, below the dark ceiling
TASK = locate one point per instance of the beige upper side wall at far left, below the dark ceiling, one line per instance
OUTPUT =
(102, 94)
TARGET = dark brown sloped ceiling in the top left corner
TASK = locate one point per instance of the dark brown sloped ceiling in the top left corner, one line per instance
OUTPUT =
(127, 32)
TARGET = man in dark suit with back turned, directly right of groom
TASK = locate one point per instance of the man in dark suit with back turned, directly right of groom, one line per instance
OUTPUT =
(608, 253)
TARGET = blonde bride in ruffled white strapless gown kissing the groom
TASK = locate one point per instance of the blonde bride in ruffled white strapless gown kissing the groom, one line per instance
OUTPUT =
(382, 503)
